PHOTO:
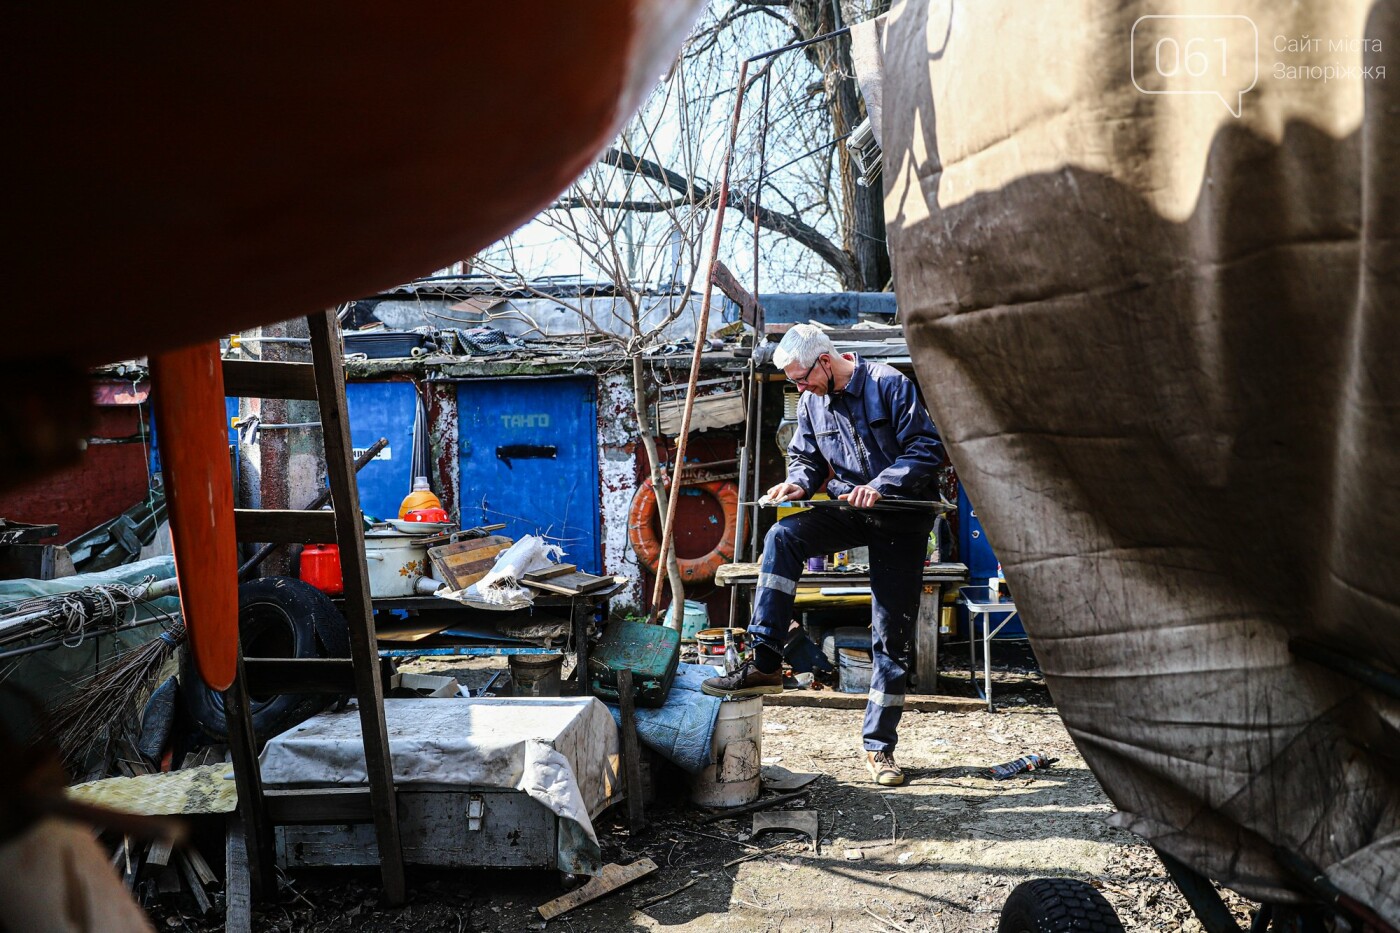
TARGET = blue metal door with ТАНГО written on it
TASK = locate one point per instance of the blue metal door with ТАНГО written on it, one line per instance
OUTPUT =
(530, 459)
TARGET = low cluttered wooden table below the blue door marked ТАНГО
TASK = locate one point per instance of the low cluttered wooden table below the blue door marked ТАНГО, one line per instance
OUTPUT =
(579, 610)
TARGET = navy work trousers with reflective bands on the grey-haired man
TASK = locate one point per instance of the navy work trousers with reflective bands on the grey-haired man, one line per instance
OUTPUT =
(898, 543)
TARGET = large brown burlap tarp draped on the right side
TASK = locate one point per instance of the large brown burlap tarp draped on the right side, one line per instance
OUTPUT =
(1164, 347)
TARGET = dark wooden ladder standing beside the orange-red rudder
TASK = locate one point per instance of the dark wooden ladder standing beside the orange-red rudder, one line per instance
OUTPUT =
(323, 380)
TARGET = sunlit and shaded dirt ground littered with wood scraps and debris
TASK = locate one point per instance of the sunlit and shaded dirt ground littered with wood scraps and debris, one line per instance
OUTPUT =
(939, 855)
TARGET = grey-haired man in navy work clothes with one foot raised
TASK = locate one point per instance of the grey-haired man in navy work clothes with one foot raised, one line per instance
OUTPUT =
(860, 424)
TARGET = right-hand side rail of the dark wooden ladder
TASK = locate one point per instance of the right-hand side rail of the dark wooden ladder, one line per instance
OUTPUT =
(327, 354)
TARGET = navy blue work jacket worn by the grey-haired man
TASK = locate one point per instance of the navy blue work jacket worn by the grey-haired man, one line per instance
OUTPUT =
(874, 432)
